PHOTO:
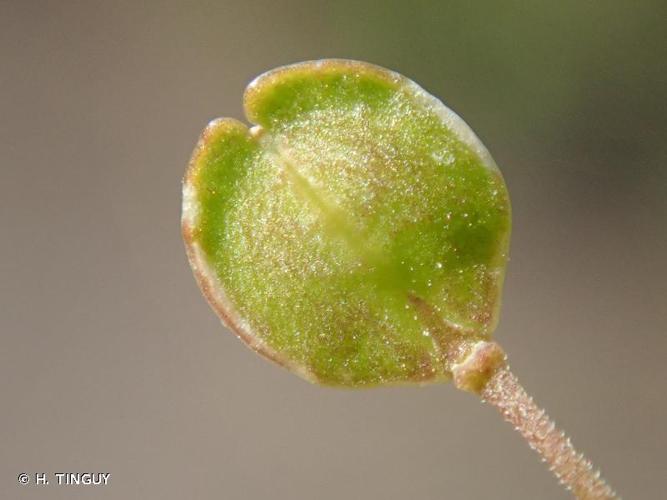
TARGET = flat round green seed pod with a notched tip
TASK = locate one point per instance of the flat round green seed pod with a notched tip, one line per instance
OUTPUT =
(356, 234)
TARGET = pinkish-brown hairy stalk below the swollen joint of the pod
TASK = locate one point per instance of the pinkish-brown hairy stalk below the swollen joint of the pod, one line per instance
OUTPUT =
(574, 471)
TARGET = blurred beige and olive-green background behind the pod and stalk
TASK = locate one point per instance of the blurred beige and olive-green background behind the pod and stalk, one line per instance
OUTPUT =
(110, 359)
